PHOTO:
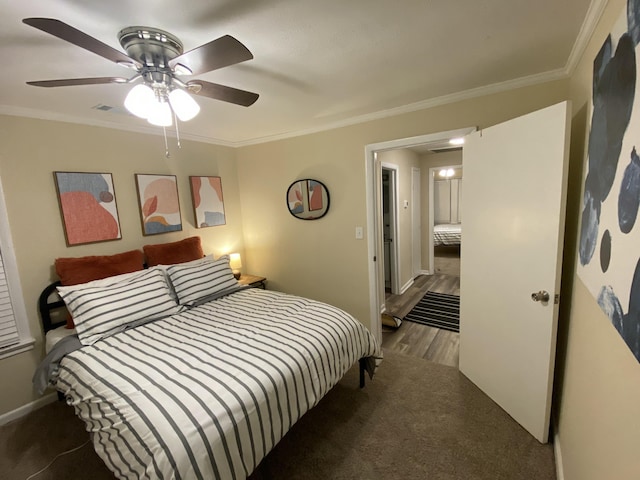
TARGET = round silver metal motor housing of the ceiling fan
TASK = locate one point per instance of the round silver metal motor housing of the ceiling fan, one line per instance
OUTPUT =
(150, 46)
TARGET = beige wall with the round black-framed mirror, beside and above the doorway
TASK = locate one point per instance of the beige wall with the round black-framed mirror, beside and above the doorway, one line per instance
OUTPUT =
(322, 259)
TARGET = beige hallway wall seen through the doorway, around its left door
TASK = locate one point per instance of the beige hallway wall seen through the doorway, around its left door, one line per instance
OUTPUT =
(405, 160)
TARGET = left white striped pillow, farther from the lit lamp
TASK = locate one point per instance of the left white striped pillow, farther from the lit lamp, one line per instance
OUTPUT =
(104, 310)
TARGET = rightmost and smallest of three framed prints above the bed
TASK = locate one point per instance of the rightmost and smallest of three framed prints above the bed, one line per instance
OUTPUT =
(208, 202)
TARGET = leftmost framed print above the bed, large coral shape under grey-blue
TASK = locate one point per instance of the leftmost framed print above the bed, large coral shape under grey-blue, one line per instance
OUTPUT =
(88, 207)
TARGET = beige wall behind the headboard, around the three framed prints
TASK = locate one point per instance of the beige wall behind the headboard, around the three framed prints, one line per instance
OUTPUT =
(30, 150)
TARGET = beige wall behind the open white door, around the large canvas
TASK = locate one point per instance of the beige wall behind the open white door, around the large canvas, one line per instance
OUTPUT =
(597, 377)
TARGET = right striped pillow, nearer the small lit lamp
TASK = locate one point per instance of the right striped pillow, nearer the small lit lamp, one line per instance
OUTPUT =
(195, 282)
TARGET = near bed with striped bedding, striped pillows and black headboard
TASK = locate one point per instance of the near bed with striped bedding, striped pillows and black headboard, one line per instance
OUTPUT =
(199, 384)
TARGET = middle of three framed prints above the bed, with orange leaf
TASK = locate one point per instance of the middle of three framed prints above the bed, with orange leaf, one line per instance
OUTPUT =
(159, 203)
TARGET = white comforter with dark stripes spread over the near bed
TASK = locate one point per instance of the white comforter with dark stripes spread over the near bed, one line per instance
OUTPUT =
(209, 392)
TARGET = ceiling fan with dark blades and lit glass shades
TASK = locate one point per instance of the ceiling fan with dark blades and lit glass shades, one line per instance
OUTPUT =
(159, 60)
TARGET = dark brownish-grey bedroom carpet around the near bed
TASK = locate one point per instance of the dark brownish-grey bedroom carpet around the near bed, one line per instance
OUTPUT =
(415, 420)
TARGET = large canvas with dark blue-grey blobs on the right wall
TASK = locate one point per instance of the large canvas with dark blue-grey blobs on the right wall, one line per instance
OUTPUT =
(609, 248)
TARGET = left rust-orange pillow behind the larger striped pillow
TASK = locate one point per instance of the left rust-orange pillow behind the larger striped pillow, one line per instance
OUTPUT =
(73, 271)
